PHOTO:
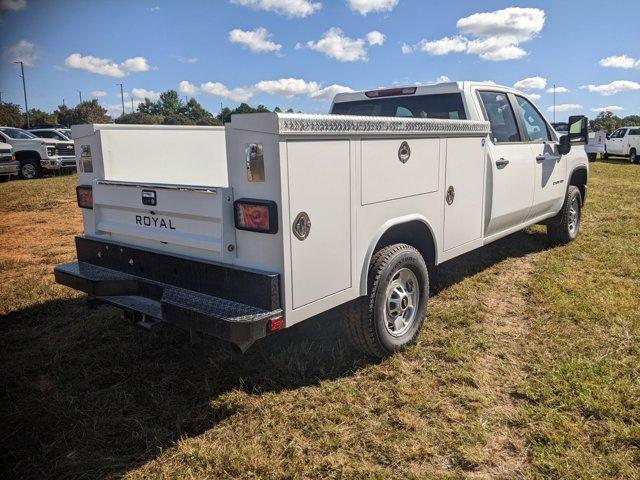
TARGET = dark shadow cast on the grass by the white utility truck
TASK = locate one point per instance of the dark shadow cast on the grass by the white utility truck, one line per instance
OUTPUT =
(87, 395)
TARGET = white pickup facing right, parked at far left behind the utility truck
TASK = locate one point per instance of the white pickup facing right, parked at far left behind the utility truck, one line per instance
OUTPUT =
(37, 155)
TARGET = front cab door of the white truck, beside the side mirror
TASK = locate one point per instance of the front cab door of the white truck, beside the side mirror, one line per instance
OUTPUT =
(550, 166)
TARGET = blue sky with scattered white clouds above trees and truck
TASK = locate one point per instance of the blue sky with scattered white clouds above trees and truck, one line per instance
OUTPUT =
(297, 53)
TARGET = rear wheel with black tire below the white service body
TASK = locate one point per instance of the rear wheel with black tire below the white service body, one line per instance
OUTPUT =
(366, 317)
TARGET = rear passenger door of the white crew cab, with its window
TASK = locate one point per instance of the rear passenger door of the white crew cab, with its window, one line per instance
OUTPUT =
(511, 168)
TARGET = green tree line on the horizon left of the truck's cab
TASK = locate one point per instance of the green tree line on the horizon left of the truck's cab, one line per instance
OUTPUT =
(169, 109)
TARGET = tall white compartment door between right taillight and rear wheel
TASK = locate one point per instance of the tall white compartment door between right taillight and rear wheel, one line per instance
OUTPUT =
(319, 185)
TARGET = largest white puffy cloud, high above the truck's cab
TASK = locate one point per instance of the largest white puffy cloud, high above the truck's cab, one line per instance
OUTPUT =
(494, 36)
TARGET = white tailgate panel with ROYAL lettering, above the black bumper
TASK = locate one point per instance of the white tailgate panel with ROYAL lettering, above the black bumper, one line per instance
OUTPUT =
(185, 216)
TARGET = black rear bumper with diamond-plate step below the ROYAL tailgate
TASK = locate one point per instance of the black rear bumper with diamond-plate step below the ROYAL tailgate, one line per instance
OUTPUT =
(229, 303)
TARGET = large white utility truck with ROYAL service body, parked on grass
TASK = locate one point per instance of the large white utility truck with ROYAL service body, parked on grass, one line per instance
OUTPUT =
(277, 217)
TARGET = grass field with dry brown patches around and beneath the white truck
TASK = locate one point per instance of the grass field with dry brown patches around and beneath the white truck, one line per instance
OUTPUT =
(528, 367)
